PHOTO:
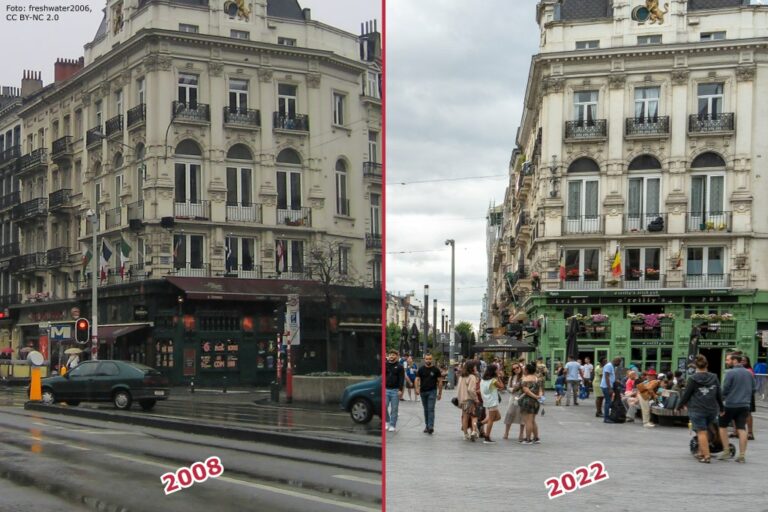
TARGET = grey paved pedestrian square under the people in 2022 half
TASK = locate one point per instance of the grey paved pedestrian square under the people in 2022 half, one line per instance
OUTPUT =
(649, 469)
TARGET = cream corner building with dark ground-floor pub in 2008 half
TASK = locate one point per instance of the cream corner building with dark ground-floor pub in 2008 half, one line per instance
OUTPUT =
(225, 150)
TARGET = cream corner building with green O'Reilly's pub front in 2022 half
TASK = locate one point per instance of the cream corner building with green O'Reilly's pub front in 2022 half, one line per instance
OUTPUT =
(643, 136)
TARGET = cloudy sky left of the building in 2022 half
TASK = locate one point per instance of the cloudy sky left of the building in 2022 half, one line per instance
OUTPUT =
(456, 76)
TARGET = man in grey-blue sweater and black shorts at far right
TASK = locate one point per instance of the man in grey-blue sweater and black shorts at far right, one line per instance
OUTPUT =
(738, 387)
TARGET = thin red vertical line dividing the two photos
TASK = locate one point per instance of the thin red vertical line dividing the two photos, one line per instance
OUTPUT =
(383, 250)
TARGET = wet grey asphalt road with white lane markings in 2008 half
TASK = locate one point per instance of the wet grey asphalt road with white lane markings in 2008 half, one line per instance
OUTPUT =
(53, 463)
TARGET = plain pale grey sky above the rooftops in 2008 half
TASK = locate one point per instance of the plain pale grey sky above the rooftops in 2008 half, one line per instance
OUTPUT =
(66, 37)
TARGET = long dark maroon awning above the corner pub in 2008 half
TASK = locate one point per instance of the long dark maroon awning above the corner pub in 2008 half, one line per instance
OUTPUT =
(224, 288)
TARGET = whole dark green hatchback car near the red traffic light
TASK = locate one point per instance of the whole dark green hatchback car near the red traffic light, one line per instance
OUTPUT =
(119, 382)
